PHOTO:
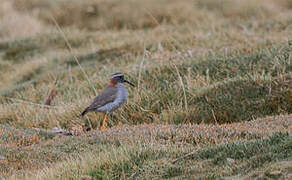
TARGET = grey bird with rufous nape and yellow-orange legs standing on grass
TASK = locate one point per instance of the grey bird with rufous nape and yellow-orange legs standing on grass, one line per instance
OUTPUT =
(111, 98)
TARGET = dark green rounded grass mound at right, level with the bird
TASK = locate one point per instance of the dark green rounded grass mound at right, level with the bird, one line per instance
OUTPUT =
(244, 99)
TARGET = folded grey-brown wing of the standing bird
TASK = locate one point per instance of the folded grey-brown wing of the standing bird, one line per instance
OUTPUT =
(108, 95)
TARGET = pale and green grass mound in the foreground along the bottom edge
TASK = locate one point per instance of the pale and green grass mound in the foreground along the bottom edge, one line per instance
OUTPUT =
(141, 160)
